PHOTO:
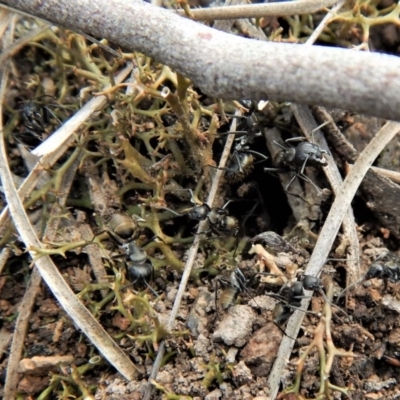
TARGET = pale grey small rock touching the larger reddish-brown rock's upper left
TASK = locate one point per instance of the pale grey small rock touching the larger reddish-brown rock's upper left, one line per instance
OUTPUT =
(235, 328)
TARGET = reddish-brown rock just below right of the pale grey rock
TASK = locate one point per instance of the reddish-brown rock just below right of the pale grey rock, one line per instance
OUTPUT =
(260, 352)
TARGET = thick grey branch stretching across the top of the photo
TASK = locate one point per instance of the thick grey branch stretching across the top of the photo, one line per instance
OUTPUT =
(226, 66)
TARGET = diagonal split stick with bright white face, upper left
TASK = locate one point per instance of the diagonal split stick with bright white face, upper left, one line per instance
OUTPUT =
(51, 150)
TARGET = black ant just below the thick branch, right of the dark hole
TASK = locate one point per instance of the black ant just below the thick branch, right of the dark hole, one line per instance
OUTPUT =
(296, 158)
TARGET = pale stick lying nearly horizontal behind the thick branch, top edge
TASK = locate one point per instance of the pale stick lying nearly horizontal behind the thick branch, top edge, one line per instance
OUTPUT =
(258, 10)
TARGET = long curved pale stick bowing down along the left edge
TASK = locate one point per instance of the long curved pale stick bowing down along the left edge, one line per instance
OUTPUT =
(49, 272)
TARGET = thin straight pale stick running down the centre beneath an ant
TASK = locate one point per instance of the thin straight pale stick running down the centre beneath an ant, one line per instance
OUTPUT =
(191, 257)
